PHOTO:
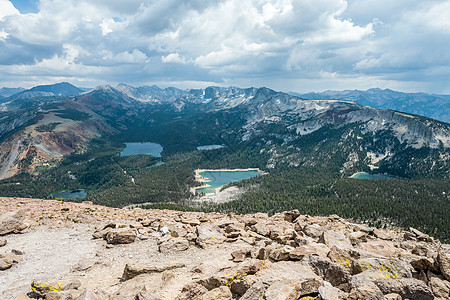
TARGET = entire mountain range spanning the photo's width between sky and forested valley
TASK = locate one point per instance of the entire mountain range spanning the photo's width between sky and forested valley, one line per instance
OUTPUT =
(47, 122)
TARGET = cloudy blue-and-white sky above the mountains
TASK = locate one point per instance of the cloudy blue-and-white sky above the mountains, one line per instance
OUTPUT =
(286, 45)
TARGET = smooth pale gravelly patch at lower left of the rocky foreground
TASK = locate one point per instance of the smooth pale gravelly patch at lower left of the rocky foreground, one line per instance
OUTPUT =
(46, 251)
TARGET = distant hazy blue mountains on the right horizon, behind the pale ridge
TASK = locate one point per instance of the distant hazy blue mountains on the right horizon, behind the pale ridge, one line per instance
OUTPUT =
(432, 106)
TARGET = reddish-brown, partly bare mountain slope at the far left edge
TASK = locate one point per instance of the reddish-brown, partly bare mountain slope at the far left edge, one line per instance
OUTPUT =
(40, 136)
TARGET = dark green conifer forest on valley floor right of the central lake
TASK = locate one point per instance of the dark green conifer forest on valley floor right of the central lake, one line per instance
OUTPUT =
(419, 203)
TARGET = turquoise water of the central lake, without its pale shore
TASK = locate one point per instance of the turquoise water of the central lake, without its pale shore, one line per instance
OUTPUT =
(217, 179)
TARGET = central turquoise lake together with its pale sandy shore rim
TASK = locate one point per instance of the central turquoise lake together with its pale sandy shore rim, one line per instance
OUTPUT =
(214, 179)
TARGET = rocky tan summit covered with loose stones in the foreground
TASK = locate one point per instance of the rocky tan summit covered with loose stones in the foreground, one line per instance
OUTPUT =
(59, 250)
